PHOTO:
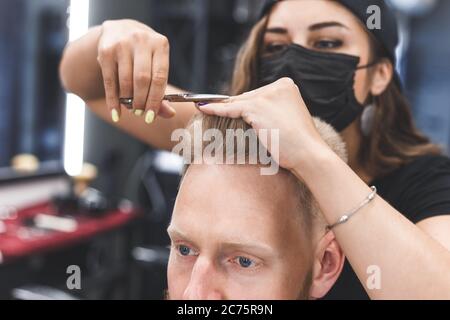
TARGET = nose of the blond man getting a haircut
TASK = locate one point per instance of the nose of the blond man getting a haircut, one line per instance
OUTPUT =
(204, 282)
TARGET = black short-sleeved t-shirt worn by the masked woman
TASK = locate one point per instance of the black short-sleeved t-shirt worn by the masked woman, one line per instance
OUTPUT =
(418, 190)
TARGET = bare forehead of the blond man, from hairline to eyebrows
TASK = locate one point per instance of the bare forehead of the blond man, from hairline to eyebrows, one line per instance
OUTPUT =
(236, 199)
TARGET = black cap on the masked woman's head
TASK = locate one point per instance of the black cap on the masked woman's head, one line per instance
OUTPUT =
(387, 35)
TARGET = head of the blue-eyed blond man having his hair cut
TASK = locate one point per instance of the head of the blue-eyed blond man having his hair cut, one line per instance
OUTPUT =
(237, 234)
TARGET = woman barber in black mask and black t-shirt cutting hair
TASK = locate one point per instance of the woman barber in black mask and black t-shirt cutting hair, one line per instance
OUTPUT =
(303, 58)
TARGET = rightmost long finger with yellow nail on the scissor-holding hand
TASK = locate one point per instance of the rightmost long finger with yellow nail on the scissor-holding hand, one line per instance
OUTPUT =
(160, 75)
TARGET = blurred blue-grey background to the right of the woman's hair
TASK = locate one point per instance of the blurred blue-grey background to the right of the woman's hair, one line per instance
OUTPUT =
(428, 72)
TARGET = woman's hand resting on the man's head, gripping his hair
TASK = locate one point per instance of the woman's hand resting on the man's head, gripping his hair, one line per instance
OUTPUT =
(278, 106)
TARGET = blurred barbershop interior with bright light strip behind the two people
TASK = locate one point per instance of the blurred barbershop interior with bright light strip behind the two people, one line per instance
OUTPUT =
(109, 216)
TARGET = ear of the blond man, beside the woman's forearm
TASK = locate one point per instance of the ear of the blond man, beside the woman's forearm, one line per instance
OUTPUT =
(327, 265)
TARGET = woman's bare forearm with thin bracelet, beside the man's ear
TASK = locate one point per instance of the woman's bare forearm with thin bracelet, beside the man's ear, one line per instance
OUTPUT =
(412, 265)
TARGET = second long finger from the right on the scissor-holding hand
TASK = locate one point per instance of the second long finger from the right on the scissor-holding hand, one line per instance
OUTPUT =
(141, 78)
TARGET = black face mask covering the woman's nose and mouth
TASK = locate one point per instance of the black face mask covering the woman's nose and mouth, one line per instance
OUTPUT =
(325, 81)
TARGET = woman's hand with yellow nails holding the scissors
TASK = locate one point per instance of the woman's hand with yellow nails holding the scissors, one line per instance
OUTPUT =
(134, 61)
